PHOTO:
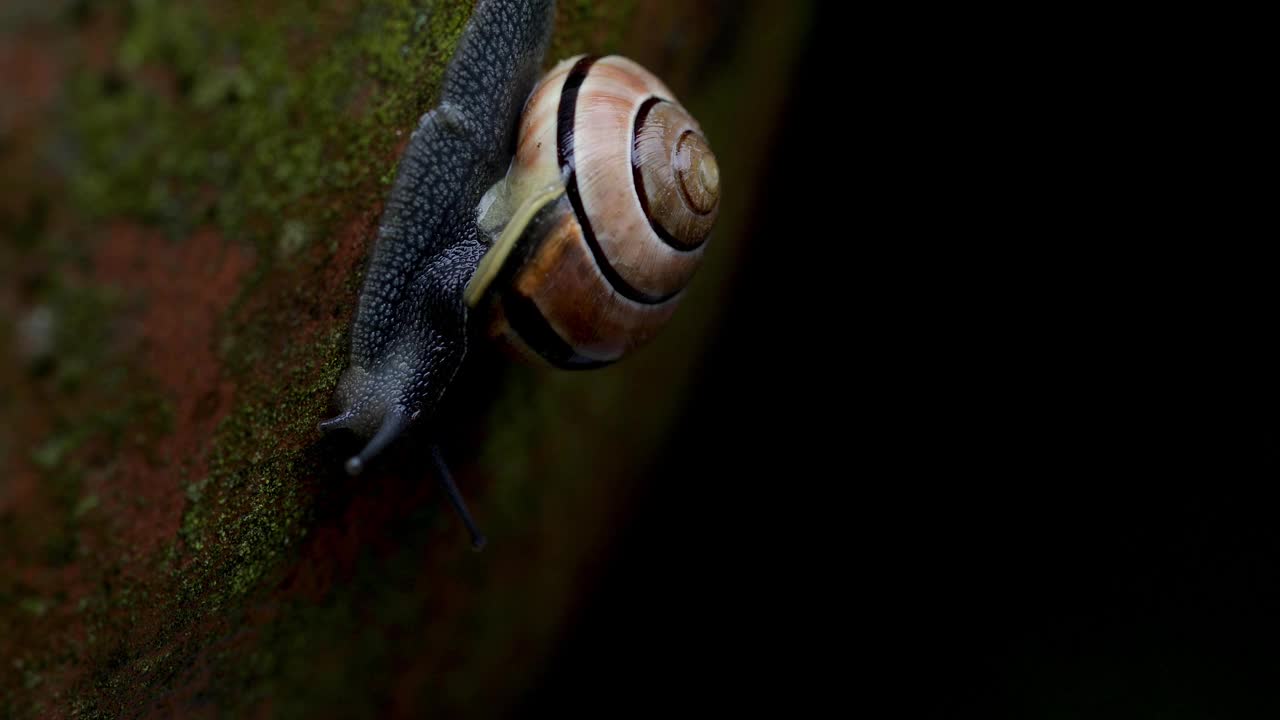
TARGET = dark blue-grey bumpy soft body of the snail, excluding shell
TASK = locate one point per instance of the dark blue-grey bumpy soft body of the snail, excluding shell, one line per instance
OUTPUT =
(410, 334)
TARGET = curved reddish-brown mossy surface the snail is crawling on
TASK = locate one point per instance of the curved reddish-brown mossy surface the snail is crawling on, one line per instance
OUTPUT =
(188, 198)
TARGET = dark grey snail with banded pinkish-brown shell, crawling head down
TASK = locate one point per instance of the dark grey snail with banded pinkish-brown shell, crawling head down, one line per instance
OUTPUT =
(561, 217)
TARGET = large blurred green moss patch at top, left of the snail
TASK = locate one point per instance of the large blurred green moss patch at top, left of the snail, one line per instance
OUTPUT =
(254, 120)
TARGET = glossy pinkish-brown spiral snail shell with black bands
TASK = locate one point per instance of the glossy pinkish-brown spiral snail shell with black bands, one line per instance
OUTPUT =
(602, 220)
